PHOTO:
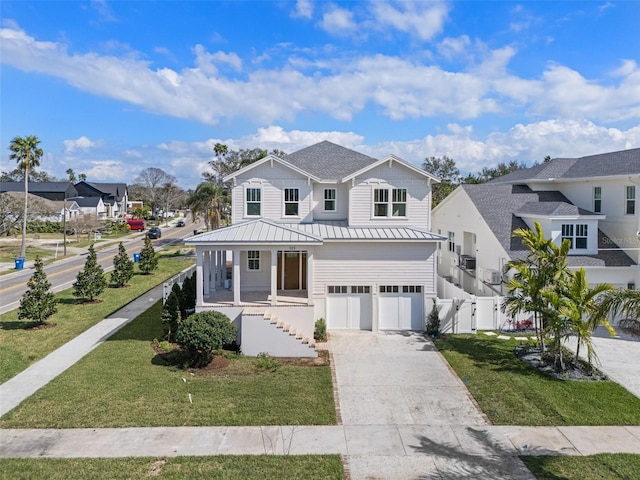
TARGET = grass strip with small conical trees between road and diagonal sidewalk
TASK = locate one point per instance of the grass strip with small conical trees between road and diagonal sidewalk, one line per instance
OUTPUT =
(20, 347)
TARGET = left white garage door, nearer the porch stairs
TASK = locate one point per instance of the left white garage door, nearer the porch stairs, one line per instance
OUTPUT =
(349, 307)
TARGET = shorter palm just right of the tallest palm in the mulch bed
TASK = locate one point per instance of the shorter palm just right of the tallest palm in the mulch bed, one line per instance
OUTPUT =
(583, 306)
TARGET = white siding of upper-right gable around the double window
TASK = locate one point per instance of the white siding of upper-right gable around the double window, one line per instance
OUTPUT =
(398, 176)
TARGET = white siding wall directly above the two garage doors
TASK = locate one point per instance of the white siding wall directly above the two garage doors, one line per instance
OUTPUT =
(359, 263)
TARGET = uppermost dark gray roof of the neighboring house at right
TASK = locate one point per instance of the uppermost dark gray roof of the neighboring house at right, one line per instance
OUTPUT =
(622, 163)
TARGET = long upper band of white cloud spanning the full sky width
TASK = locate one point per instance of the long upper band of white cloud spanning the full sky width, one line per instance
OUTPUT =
(336, 85)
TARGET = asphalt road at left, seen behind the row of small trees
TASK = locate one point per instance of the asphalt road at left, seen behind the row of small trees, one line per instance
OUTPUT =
(61, 274)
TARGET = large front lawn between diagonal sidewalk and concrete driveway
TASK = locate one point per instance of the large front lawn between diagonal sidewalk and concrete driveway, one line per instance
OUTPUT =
(123, 383)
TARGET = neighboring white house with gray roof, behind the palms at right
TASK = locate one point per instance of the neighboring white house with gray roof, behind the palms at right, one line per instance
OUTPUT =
(592, 201)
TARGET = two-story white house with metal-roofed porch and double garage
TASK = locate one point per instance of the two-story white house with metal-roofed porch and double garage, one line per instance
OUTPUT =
(325, 232)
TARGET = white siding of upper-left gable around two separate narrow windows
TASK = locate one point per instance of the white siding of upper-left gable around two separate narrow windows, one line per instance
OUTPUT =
(272, 179)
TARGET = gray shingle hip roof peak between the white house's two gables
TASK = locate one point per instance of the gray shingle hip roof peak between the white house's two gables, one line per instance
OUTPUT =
(329, 161)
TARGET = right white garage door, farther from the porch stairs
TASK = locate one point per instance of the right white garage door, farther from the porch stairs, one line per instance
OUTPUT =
(401, 307)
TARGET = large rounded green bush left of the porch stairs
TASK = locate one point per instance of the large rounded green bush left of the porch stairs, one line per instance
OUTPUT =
(203, 333)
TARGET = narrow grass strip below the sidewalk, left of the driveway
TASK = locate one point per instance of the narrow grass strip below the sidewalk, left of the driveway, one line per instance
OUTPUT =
(241, 467)
